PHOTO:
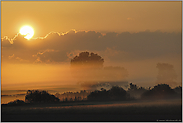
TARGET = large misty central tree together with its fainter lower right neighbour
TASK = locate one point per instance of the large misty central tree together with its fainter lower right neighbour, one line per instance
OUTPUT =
(88, 67)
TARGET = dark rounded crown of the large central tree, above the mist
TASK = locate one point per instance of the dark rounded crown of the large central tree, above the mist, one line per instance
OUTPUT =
(88, 59)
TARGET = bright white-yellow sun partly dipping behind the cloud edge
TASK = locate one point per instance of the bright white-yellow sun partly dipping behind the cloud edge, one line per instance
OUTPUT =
(28, 31)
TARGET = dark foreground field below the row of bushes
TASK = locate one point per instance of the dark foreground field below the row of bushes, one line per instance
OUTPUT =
(164, 110)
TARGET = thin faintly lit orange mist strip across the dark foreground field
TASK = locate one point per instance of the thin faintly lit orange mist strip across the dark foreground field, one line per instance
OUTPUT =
(112, 105)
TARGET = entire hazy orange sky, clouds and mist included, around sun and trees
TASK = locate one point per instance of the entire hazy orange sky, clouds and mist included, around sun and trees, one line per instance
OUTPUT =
(133, 35)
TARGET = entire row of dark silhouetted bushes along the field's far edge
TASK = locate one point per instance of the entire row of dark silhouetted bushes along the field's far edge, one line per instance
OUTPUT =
(116, 93)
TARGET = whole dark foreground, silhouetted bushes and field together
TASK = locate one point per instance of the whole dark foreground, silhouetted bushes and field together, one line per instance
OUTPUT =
(115, 104)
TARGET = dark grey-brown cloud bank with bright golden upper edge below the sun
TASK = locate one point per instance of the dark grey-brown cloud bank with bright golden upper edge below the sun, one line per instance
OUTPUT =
(115, 46)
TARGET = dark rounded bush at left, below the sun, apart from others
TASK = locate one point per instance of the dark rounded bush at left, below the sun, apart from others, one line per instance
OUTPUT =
(36, 96)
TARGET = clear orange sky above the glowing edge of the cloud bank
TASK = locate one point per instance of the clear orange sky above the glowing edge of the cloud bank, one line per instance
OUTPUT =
(98, 16)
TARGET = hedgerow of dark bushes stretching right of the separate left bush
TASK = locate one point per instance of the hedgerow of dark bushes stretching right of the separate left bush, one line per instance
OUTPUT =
(159, 91)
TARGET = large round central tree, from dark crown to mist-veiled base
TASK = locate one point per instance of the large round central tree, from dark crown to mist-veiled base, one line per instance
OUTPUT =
(86, 67)
